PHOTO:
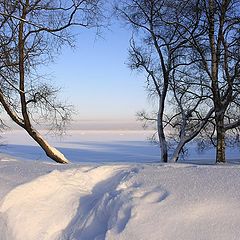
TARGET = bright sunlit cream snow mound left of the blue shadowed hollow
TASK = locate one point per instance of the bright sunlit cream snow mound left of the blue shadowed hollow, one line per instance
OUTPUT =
(44, 207)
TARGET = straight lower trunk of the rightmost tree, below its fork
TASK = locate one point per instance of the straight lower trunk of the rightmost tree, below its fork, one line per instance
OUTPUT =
(220, 151)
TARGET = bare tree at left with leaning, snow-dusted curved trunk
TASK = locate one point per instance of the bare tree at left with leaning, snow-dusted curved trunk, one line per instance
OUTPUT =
(31, 33)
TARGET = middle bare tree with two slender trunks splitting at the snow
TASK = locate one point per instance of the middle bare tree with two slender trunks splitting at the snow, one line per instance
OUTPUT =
(159, 48)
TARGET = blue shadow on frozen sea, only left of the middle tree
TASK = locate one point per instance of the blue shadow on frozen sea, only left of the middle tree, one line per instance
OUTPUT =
(91, 152)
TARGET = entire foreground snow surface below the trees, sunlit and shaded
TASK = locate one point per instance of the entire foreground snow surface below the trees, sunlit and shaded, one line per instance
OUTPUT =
(44, 201)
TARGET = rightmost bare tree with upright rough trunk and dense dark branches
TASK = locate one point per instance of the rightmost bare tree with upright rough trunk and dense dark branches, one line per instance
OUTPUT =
(217, 49)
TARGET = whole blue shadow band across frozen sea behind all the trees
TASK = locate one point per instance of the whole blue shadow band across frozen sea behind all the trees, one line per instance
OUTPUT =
(112, 152)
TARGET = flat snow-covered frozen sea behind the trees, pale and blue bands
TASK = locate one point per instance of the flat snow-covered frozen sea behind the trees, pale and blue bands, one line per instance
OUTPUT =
(98, 146)
